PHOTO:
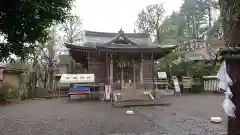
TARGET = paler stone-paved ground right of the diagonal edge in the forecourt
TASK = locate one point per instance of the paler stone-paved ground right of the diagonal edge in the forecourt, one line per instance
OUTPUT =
(188, 115)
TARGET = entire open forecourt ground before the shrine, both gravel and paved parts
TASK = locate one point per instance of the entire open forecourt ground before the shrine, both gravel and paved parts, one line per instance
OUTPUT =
(187, 115)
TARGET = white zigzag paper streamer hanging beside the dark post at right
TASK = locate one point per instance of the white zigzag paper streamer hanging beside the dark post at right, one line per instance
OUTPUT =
(224, 83)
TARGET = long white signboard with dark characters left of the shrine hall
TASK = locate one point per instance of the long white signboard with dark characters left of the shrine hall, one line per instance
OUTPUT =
(77, 78)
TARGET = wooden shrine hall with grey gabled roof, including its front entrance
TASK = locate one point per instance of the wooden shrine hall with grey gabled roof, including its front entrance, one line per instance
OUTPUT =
(124, 61)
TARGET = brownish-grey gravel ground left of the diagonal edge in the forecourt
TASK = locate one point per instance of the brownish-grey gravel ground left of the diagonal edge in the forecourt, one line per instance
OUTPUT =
(60, 117)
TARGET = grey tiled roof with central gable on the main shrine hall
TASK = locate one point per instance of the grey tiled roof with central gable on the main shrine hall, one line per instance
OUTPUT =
(118, 42)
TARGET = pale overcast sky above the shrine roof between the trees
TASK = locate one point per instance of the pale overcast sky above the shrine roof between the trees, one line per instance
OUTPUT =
(111, 15)
